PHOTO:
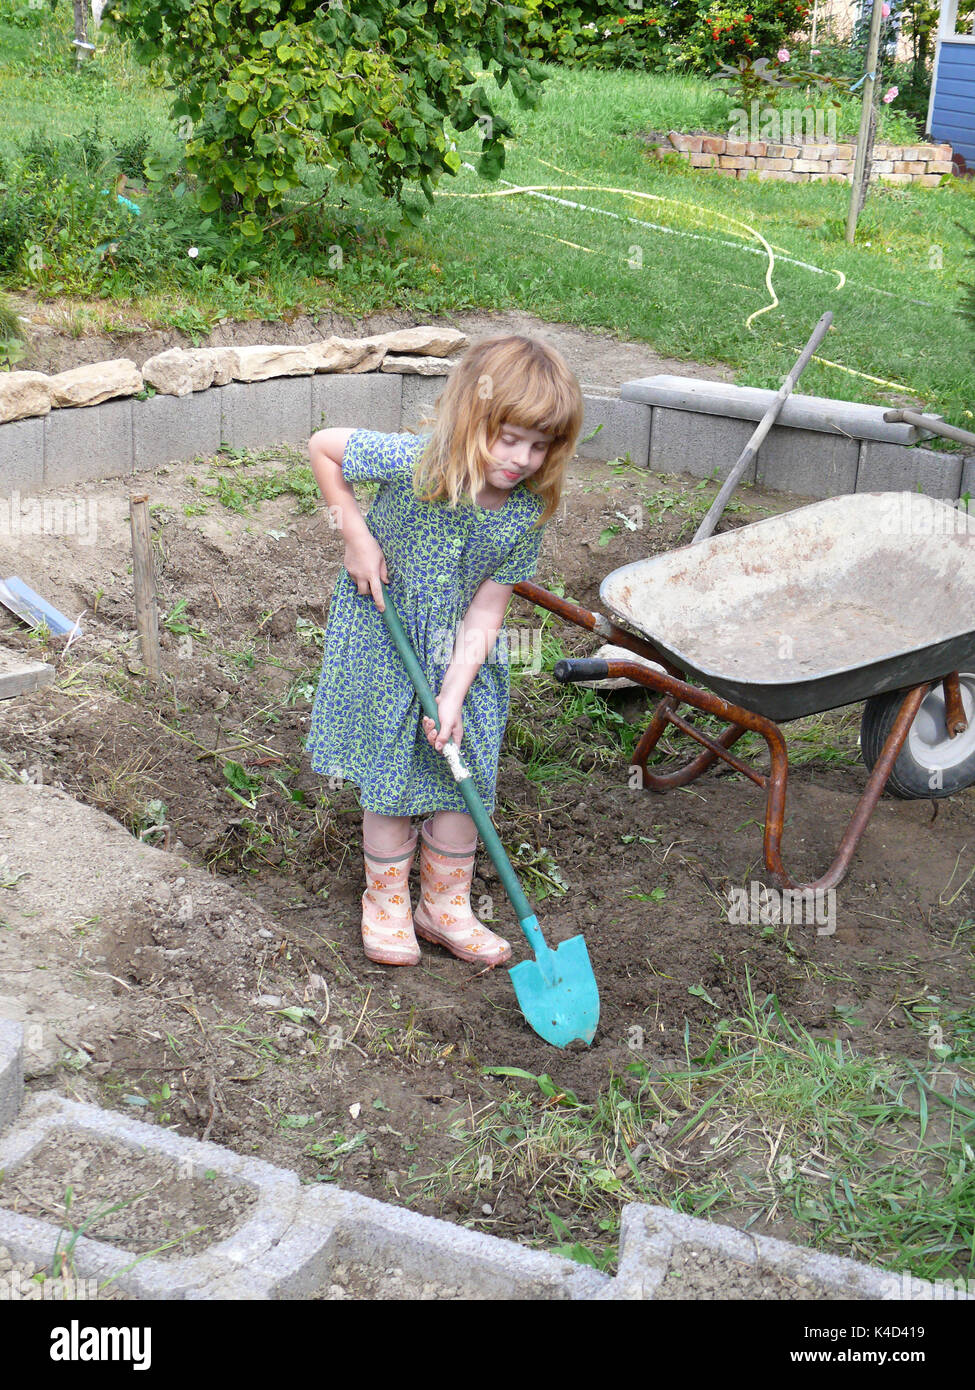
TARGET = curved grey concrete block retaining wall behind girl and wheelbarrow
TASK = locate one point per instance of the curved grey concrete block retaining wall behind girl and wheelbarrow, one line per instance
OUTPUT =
(671, 425)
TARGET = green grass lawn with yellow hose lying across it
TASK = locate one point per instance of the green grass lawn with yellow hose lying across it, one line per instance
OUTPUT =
(699, 268)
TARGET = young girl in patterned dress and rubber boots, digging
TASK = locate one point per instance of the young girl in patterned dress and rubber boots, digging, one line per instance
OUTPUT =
(456, 525)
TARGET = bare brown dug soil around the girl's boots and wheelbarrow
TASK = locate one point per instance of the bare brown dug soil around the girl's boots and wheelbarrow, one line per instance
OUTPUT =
(156, 929)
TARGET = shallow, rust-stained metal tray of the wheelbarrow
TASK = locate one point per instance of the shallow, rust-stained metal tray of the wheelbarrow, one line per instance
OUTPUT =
(817, 608)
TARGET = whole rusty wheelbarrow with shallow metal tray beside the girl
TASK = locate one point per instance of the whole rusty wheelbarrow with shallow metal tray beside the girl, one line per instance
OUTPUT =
(869, 597)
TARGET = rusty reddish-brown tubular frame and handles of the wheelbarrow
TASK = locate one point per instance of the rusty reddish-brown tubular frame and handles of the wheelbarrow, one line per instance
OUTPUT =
(675, 690)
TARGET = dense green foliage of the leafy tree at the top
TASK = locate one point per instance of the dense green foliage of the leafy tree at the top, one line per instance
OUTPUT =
(264, 88)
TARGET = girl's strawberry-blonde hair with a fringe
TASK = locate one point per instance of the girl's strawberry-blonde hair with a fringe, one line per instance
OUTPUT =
(510, 380)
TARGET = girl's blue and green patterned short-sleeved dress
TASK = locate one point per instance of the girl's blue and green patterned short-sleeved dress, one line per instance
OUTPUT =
(366, 721)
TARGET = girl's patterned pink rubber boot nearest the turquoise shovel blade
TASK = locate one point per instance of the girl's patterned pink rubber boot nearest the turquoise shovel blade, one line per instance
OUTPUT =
(444, 914)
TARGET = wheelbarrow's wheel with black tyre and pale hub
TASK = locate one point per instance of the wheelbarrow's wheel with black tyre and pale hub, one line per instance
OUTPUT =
(930, 764)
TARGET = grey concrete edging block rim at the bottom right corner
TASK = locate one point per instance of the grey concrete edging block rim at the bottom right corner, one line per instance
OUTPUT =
(652, 1238)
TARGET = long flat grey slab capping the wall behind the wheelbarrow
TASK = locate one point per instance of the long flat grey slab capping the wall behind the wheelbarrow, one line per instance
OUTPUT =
(723, 398)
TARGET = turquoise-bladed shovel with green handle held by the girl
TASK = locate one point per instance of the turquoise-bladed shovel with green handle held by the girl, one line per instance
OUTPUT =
(557, 992)
